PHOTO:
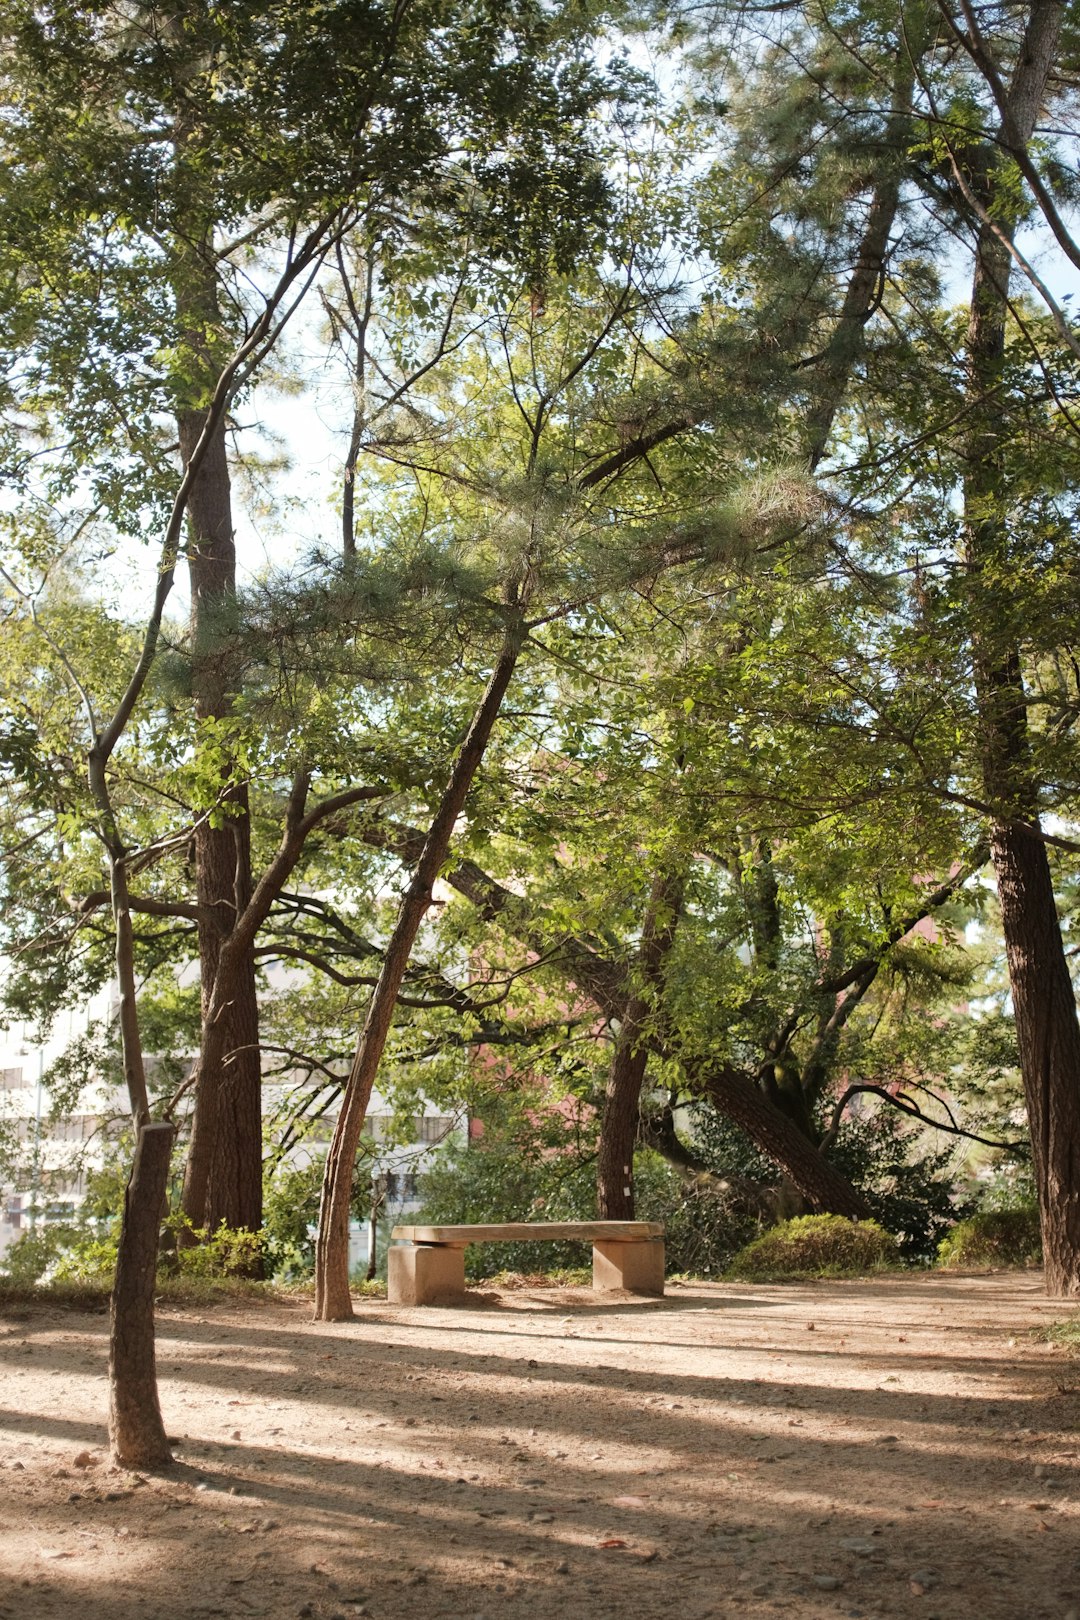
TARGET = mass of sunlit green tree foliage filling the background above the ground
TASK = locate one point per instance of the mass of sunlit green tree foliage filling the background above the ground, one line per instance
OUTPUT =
(739, 670)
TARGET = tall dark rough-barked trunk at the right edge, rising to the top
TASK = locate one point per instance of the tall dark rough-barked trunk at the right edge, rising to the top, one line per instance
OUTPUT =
(1045, 1010)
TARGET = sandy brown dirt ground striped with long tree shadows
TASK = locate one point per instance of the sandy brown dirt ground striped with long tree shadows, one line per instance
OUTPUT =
(895, 1447)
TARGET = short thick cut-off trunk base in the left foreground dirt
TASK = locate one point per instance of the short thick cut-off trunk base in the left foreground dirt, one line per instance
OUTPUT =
(137, 1435)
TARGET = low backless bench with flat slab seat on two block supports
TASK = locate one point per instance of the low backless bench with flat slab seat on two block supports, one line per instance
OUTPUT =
(427, 1264)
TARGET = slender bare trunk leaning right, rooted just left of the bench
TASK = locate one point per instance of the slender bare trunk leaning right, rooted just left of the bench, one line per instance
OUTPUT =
(333, 1297)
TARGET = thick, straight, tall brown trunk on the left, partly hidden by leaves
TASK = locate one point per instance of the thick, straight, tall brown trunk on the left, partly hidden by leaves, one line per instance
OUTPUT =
(224, 1174)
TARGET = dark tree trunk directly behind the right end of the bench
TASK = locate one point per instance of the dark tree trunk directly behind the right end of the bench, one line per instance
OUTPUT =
(623, 1098)
